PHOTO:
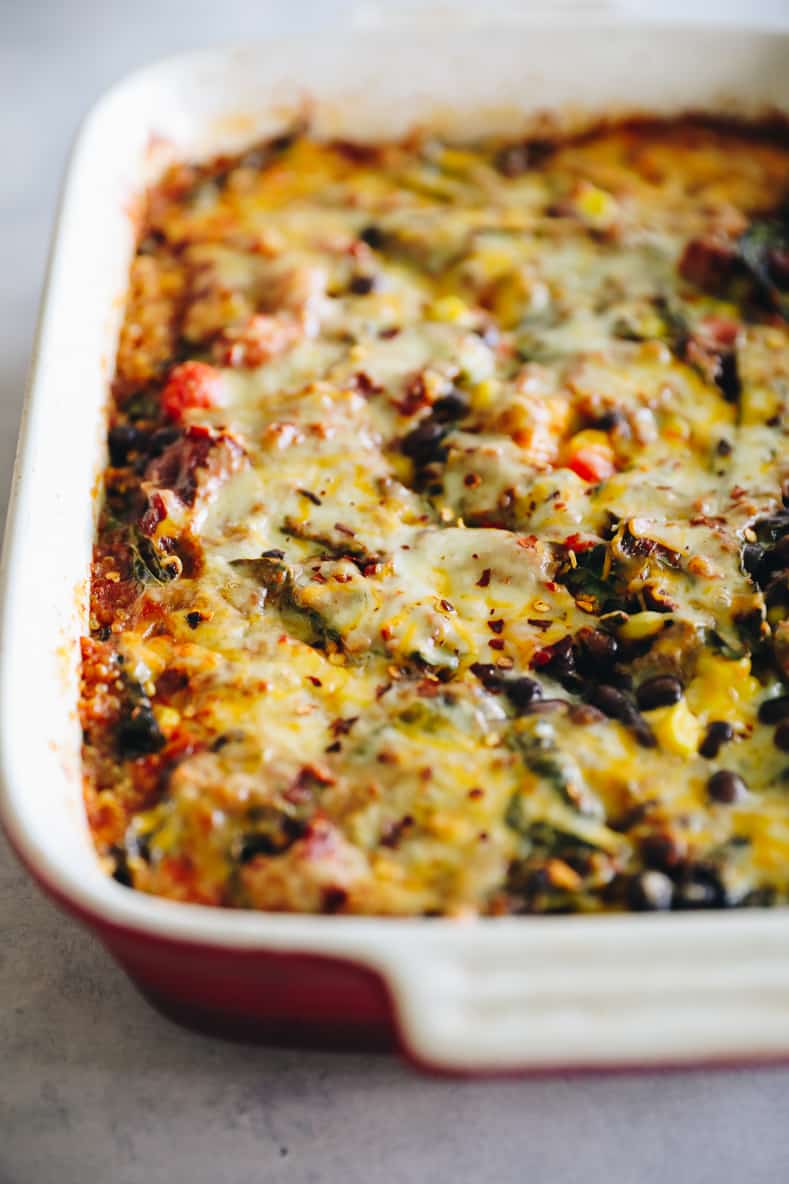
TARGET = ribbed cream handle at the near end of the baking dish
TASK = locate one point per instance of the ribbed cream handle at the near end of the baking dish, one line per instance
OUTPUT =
(547, 999)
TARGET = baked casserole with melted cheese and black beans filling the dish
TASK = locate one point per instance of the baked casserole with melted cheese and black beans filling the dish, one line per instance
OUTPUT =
(442, 568)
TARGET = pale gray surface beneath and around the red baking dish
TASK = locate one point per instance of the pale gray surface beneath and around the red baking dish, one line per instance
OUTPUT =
(95, 1089)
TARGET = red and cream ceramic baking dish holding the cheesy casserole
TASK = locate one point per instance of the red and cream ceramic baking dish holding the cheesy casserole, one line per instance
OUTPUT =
(510, 994)
